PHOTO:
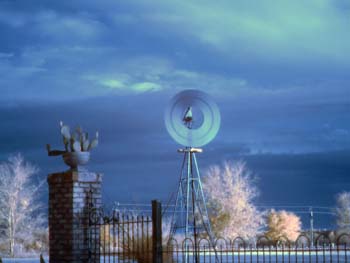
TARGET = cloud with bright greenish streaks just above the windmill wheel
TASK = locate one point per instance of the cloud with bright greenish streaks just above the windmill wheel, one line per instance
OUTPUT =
(140, 74)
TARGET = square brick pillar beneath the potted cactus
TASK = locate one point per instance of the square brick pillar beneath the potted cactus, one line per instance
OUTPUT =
(71, 193)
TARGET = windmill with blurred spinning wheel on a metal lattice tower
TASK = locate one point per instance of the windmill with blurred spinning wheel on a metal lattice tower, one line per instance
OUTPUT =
(192, 119)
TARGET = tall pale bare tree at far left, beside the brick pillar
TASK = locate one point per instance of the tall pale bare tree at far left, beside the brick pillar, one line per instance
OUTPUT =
(20, 215)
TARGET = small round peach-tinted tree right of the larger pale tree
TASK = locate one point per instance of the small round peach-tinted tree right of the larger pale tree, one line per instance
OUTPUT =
(283, 224)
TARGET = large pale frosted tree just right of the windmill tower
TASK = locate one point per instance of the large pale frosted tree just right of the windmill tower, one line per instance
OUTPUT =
(231, 191)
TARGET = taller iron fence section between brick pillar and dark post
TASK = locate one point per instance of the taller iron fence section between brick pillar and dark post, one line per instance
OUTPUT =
(121, 238)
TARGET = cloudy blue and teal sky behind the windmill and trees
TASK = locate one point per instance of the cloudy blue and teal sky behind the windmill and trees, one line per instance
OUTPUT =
(278, 70)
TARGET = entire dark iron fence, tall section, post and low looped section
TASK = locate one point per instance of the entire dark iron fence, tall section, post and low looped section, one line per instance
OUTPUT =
(125, 238)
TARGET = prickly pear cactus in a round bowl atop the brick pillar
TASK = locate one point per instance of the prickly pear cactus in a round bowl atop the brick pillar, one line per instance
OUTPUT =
(77, 146)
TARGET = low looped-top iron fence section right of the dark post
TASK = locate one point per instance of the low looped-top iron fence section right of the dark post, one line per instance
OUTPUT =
(264, 250)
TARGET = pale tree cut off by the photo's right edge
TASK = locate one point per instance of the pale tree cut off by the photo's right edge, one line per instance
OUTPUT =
(342, 211)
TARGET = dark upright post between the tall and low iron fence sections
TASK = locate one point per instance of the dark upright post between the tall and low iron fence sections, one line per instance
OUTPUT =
(157, 231)
